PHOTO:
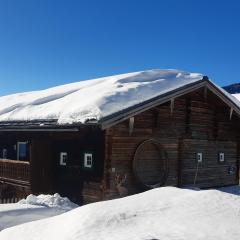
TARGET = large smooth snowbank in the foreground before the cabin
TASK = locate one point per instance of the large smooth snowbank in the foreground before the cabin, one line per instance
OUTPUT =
(165, 213)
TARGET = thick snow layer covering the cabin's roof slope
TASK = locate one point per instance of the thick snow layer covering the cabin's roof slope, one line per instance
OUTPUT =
(92, 99)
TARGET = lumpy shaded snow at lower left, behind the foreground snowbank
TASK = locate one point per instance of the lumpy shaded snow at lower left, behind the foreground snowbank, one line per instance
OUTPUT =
(33, 208)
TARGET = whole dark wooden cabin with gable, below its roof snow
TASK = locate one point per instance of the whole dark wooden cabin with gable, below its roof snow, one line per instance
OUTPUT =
(186, 137)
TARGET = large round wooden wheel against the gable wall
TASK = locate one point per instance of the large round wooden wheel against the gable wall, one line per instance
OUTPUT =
(150, 164)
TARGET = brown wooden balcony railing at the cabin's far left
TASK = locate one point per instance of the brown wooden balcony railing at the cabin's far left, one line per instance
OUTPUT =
(14, 170)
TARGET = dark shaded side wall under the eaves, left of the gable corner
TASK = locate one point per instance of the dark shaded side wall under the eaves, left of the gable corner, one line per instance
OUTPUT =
(46, 175)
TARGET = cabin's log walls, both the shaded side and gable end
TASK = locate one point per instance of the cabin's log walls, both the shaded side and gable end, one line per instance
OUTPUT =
(194, 123)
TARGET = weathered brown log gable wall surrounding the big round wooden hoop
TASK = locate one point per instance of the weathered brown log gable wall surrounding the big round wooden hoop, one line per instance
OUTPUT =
(195, 123)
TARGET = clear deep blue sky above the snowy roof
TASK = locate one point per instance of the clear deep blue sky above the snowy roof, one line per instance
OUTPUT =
(50, 42)
